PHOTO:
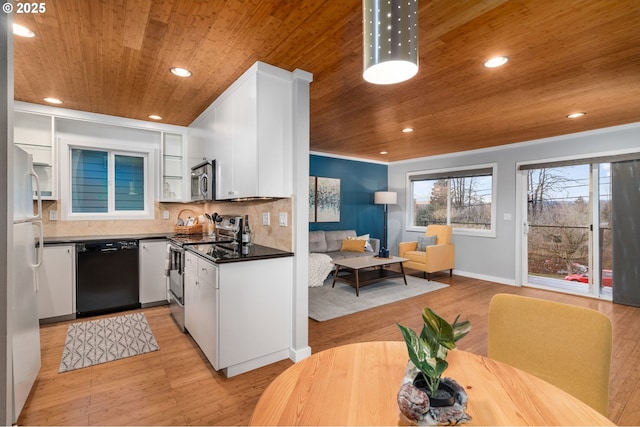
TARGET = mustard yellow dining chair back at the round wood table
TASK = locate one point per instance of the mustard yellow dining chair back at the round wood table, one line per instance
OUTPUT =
(565, 345)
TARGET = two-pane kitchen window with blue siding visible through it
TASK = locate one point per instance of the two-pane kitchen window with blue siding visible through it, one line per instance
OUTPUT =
(102, 182)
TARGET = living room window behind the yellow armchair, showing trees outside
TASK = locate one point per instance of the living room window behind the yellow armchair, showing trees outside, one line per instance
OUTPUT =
(461, 198)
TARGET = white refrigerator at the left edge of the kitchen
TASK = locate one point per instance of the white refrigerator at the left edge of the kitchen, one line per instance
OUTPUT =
(27, 255)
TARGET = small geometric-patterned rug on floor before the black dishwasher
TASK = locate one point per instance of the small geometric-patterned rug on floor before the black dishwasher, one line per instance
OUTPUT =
(104, 340)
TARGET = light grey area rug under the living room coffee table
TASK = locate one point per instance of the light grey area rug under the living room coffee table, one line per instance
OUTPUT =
(327, 303)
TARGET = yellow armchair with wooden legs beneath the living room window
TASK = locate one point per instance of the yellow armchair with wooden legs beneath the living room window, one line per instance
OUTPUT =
(438, 257)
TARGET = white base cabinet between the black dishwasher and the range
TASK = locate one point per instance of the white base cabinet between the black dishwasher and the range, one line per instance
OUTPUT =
(153, 282)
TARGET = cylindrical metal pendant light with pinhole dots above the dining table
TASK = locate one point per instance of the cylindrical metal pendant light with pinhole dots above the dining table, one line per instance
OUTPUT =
(390, 34)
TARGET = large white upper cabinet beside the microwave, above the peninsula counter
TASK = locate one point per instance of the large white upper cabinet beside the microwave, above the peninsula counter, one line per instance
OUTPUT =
(253, 135)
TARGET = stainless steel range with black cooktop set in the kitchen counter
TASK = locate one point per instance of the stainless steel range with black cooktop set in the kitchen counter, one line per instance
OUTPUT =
(228, 230)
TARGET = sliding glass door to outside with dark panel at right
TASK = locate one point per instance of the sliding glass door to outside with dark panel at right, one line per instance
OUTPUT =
(579, 229)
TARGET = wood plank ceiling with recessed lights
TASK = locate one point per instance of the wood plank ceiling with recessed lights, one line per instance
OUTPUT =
(113, 57)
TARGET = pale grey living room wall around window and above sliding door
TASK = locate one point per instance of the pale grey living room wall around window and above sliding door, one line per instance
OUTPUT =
(494, 258)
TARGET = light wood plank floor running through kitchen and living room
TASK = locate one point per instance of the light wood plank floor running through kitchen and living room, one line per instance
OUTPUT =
(177, 386)
